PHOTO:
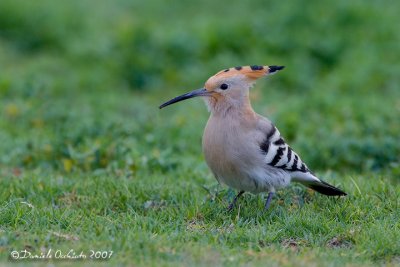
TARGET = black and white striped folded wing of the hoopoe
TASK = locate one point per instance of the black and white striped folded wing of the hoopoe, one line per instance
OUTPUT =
(279, 155)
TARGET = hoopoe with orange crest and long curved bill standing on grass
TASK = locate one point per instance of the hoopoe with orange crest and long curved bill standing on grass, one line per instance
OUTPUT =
(244, 150)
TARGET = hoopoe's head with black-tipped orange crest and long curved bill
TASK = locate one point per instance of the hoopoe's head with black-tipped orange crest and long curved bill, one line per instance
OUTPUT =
(229, 87)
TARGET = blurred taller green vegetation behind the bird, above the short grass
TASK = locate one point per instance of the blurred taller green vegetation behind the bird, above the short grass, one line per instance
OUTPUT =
(80, 81)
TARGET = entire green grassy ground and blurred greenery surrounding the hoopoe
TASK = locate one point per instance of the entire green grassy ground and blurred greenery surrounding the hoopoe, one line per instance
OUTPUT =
(88, 162)
